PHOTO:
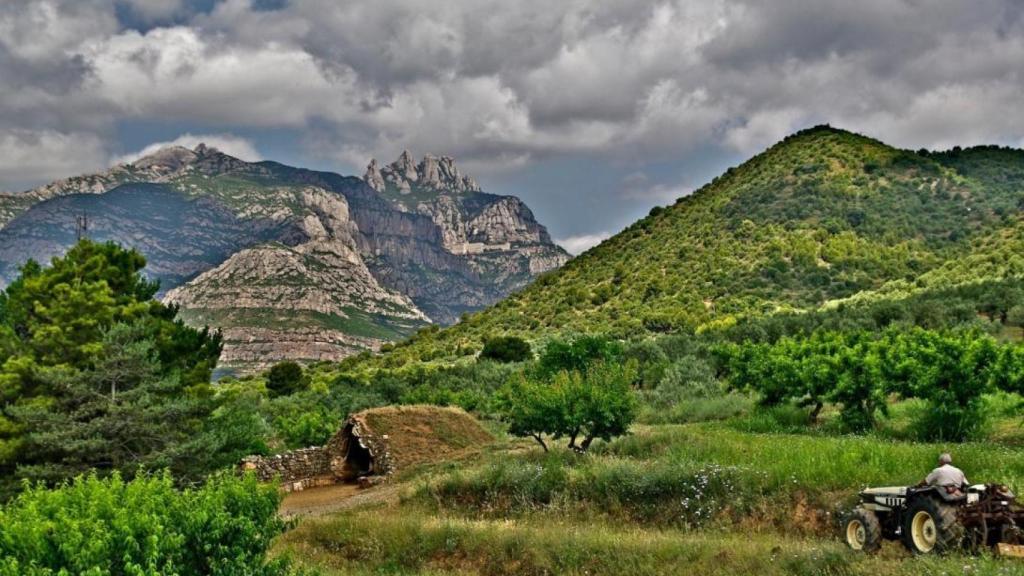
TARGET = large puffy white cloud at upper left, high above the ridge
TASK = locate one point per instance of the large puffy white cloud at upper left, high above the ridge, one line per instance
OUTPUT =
(174, 73)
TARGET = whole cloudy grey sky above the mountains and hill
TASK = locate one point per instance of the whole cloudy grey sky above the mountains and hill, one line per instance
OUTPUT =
(592, 112)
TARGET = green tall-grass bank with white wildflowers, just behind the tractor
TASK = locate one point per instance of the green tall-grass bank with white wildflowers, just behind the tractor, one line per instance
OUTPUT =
(701, 475)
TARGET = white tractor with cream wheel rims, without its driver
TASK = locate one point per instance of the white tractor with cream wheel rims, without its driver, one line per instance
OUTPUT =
(936, 520)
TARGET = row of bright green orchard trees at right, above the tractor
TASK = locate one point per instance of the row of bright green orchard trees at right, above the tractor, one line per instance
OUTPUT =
(862, 372)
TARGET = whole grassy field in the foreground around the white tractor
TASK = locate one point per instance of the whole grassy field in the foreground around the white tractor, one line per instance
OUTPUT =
(702, 499)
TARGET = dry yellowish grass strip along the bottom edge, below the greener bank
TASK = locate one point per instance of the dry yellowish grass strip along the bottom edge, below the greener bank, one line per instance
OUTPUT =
(411, 542)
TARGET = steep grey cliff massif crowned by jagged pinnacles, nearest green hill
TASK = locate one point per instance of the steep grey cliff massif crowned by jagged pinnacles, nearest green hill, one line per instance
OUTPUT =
(488, 245)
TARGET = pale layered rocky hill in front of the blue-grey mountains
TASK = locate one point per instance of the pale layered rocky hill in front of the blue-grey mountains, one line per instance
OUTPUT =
(313, 301)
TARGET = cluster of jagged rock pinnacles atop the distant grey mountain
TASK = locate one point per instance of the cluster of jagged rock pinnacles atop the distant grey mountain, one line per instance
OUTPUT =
(433, 173)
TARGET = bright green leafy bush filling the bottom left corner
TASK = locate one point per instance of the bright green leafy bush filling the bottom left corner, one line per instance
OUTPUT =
(143, 527)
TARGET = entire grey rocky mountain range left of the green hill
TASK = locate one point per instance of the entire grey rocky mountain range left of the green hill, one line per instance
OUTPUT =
(289, 263)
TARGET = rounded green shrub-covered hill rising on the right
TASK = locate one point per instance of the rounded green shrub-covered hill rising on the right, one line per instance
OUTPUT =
(822, 217)
